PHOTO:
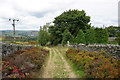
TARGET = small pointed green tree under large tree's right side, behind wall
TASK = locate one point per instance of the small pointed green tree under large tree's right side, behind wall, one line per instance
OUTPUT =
(80, 38)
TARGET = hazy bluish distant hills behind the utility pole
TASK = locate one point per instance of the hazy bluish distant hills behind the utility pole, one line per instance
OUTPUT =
(19, 33)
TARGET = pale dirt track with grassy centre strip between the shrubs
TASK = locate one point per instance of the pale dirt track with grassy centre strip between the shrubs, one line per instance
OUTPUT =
(56, 66)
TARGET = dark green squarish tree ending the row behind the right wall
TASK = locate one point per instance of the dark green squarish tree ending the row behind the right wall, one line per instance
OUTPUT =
(101, 35)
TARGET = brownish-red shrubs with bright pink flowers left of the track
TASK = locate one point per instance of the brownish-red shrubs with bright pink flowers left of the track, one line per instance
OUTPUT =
(21, 63)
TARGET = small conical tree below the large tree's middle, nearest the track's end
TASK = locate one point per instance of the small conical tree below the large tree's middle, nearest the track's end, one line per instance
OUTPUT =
(66, 37)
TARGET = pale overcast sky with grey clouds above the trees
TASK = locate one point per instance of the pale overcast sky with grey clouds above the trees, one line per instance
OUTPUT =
(35, 13)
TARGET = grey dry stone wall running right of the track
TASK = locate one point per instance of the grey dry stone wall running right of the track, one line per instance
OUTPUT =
(113, 50)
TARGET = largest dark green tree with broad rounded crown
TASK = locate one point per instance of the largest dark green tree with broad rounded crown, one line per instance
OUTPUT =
(73, 20)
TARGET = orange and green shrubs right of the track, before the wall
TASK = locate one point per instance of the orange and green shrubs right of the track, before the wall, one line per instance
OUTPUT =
(94, 64)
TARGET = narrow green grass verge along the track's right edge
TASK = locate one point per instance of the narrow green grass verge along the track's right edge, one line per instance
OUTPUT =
(80, 73)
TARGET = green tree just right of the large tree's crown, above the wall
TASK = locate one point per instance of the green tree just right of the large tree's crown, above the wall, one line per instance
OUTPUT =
(90, 36)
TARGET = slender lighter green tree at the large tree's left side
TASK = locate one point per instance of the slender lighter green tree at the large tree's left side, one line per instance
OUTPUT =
(43, 37)
